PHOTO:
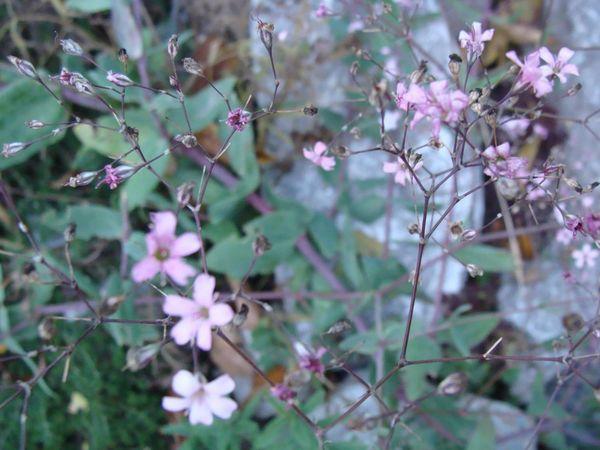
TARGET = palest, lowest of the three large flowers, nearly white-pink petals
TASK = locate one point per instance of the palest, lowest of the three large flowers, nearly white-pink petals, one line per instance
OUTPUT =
(201, 400)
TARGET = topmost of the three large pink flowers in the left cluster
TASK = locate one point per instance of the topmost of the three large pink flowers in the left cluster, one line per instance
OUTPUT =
(166, 251)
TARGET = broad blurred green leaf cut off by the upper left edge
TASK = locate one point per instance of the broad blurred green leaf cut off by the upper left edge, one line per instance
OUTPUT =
(21, 101)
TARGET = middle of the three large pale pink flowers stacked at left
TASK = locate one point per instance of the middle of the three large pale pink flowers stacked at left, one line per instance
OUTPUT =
(197, 315)
